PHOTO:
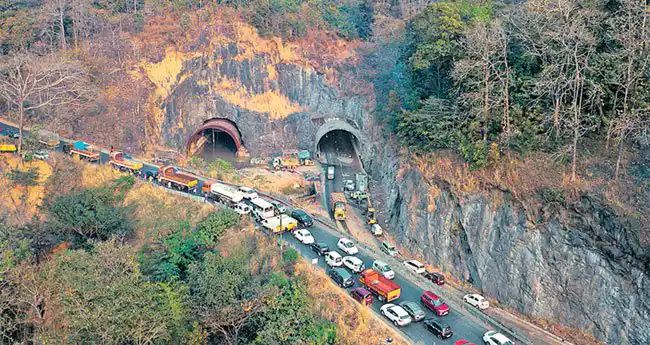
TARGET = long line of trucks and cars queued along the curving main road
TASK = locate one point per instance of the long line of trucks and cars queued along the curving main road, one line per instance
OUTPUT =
(374, 282)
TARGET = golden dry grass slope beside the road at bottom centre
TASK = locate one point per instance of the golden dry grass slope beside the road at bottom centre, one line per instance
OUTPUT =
(356, 324)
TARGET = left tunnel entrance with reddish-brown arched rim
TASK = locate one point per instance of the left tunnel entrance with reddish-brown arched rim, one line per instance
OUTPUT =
(216, 138)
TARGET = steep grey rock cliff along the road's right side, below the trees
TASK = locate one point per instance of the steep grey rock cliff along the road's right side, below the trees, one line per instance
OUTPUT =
(578, 264)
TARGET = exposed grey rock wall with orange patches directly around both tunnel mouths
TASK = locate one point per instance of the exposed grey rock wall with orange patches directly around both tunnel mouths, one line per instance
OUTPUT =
(275, 105)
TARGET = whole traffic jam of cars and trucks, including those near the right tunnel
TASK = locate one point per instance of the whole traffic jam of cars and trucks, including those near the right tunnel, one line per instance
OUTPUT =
(370, 282)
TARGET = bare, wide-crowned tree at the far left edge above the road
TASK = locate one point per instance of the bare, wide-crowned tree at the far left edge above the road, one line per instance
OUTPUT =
(31, 82)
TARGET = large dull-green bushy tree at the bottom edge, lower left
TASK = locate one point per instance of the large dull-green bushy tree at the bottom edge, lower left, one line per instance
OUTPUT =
(103, 298)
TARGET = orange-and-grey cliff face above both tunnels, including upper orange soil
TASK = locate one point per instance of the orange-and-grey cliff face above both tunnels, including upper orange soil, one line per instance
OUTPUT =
(277, 99)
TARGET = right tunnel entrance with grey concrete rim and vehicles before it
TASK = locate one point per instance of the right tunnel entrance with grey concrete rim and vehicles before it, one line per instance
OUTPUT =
(339, 147)
